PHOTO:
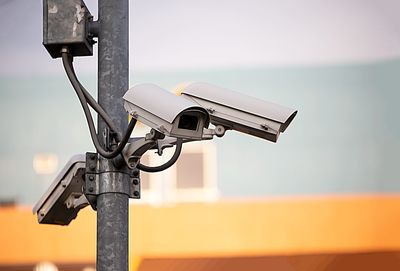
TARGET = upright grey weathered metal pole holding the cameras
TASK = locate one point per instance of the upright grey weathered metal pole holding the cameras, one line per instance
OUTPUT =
(113, 76)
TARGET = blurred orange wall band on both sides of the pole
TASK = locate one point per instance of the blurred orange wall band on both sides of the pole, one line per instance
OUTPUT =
(292, 226)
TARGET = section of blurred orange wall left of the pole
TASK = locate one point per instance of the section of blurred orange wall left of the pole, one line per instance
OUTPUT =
(23, 240)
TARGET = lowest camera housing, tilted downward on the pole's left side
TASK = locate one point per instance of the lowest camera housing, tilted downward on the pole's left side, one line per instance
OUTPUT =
(64, 198)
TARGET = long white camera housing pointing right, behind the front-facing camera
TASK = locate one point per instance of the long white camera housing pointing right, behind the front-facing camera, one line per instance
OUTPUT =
(239, 112)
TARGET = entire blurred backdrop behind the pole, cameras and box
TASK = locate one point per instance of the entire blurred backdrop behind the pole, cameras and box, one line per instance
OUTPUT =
(325, 197)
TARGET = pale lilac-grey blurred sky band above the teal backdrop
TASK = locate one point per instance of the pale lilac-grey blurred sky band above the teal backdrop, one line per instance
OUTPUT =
(189, 34)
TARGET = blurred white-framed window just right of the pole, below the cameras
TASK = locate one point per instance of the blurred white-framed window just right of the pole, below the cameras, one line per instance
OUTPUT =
(191, 179)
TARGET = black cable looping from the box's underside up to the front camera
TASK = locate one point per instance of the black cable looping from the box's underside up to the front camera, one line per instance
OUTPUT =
(67, 62)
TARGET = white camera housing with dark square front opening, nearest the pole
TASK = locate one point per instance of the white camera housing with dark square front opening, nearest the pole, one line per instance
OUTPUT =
(165, 112)
